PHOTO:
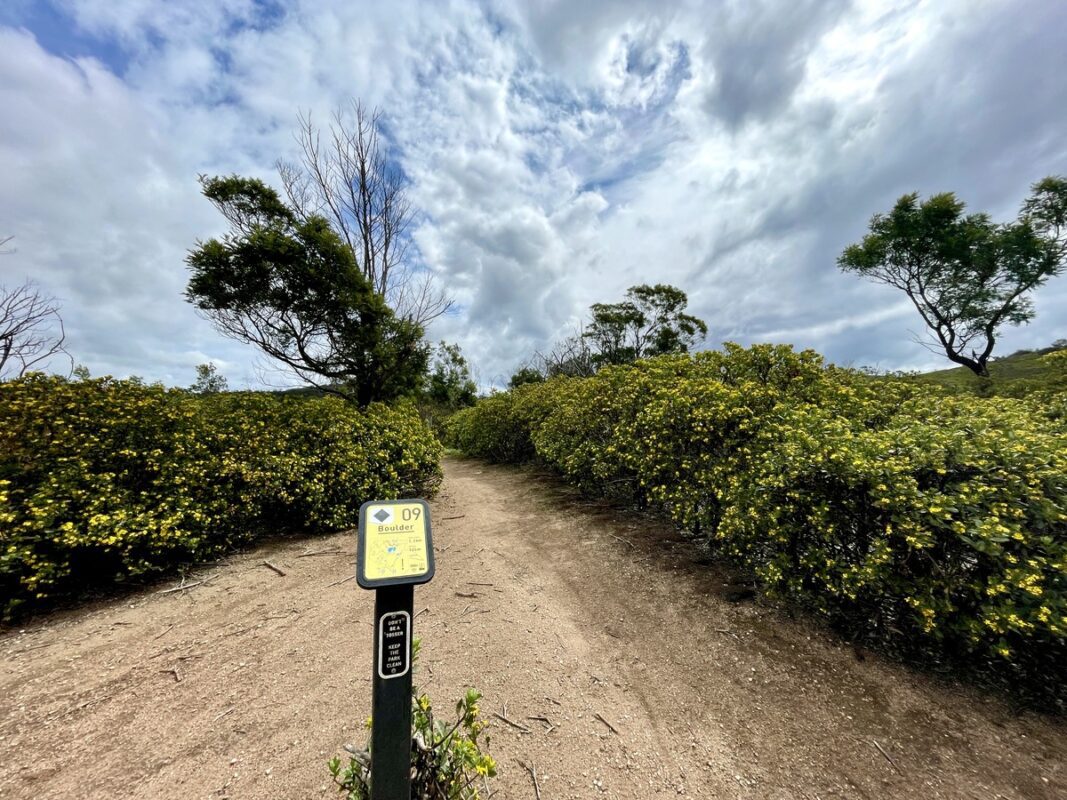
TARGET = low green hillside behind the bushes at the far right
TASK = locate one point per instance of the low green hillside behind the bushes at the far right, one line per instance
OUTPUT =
(1018, 374)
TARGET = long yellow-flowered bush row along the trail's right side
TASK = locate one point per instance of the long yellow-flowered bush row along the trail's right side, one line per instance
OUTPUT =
(905, 513)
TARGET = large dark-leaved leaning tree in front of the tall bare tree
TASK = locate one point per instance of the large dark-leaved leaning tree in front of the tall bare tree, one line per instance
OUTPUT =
(286, 283)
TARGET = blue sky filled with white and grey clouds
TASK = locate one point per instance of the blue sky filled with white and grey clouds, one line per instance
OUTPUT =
(560, 153)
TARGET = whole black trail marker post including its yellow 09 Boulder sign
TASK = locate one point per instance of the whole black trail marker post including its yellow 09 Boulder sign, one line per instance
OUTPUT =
(395, 554)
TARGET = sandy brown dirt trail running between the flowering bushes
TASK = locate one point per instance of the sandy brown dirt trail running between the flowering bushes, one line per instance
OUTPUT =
(244, 686)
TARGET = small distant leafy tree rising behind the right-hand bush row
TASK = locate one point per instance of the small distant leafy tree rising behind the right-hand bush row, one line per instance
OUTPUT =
(651, 322)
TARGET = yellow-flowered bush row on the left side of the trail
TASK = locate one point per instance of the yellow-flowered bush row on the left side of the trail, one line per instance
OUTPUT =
(103, 481)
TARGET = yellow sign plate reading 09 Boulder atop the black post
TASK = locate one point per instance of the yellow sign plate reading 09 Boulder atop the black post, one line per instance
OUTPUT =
(395, 546)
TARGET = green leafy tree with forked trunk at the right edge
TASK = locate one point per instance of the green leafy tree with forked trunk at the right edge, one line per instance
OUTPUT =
(966, 276)
